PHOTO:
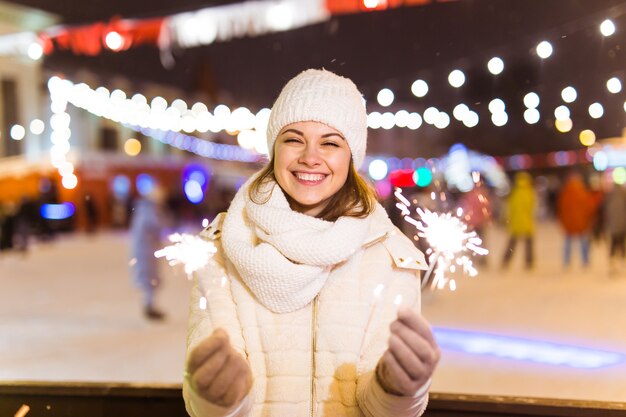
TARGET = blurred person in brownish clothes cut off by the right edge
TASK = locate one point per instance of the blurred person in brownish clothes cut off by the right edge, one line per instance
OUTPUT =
(615, 225)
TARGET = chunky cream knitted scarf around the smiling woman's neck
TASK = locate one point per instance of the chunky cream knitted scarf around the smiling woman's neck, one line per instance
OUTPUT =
(283, 256)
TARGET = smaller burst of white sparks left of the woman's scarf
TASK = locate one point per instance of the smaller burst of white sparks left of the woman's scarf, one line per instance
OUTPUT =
(192, 251)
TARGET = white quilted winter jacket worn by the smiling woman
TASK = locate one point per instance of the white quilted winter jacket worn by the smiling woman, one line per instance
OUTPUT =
(318, 360)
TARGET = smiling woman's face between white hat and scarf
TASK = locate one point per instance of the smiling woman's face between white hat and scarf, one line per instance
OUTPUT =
(311, 163)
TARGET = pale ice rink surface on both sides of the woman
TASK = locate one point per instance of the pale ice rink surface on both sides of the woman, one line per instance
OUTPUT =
(68, 312)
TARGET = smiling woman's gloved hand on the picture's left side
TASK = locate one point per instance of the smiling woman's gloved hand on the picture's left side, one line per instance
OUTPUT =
(217, 372)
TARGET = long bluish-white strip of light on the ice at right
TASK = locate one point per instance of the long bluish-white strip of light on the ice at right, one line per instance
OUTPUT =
(524, 349)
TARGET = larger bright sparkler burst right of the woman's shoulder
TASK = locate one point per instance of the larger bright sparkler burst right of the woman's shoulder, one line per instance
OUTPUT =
(451, 244)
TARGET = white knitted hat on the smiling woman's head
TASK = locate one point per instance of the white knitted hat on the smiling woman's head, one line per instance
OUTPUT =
(322, 96)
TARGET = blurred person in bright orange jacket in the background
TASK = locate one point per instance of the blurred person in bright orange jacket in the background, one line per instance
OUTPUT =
(575, 212)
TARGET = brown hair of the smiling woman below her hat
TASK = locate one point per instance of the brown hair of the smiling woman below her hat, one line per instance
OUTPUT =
(355, 199)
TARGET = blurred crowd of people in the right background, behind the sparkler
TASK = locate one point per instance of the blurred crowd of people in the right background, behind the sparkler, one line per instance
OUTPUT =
(588, 210)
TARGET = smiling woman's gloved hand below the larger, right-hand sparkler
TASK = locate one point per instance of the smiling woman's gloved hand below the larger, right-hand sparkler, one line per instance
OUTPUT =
(412, 355)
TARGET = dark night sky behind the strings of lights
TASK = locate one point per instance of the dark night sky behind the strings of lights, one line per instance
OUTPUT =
(393, 48)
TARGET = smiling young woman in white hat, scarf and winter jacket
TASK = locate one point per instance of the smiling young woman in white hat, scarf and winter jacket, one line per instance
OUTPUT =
(319, 314)
